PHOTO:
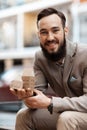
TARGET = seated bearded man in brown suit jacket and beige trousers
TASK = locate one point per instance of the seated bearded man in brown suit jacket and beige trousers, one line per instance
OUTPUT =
(63, 65)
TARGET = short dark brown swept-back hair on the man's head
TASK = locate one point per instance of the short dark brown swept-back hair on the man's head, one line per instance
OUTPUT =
(49, 11)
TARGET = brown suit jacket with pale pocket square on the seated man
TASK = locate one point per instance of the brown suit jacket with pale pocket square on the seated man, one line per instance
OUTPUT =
(71, 85)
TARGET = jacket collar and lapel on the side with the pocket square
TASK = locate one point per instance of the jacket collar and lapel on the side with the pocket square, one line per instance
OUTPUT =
(71, 51)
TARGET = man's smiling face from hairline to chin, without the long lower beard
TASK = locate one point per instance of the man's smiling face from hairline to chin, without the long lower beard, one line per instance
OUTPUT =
(51, 33)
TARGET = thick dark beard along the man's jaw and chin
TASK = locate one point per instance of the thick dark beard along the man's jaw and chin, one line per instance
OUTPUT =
(59, 54)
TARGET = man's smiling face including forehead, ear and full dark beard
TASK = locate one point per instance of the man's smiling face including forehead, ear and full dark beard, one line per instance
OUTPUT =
(52, 36)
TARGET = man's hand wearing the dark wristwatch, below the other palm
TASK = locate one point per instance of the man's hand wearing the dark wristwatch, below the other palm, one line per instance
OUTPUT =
(38, 101)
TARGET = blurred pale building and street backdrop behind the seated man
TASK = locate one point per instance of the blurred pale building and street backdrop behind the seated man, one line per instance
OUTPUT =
(19, 42)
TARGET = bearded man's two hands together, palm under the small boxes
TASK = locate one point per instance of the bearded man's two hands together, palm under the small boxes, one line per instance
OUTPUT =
(38, 101)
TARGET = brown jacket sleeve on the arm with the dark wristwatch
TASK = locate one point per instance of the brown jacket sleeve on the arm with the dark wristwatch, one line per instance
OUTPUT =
(73, 103)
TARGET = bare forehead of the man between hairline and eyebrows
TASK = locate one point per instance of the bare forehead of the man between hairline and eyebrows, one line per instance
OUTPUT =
(50, 21)
